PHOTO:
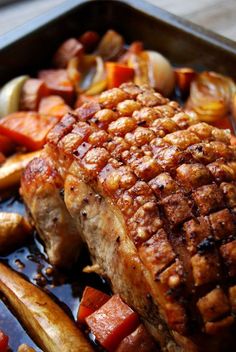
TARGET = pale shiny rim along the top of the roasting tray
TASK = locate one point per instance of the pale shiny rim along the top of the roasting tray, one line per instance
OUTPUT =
(9, 38)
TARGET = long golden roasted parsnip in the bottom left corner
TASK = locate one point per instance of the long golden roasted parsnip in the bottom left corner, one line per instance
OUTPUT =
(47, 323)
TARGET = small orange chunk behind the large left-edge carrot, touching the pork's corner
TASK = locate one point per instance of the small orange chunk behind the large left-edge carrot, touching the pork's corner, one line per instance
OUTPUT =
(53, 105)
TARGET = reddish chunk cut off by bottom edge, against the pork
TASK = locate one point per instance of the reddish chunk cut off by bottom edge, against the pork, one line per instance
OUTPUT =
(139, 340)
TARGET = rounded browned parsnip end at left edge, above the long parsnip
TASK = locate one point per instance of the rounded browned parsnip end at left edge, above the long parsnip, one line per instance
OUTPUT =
(14, 230)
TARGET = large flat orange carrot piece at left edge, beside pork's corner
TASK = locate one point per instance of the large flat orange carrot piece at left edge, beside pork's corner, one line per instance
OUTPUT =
(27, 128)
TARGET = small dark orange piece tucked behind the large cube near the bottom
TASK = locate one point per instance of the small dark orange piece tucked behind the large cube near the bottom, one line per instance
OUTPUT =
(92, 299)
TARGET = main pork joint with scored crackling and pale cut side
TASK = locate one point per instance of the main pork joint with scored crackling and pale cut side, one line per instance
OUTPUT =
(153, 195)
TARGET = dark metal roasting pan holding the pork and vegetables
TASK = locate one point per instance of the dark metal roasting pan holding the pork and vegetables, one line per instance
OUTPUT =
(29, 47)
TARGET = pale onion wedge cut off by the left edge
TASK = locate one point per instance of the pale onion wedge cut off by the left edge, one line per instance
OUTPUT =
(10, 95)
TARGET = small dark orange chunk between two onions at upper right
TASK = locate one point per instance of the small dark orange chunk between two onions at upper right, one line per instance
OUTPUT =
(183, 78)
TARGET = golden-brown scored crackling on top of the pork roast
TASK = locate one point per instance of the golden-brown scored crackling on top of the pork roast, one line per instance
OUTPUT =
(173, 181)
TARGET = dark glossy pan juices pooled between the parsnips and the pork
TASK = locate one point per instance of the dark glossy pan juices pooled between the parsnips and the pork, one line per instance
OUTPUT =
(65, 287)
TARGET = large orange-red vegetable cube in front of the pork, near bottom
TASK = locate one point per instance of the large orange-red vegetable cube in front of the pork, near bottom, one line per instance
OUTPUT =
(112, 322)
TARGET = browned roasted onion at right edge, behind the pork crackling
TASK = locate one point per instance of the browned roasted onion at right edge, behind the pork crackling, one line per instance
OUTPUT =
(211, 96)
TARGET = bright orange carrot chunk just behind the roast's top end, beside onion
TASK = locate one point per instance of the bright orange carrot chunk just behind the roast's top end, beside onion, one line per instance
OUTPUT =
(118, 74)
